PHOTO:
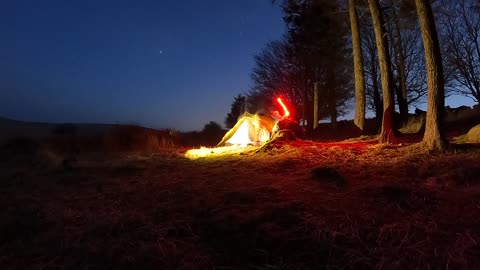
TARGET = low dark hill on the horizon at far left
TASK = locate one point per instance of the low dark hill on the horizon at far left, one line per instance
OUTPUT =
(14, 128)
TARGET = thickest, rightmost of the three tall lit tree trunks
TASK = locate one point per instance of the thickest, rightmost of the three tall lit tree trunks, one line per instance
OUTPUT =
(433, 138)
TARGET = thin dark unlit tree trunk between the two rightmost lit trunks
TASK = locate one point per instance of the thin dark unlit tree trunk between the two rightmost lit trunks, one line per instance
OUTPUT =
(400, 62)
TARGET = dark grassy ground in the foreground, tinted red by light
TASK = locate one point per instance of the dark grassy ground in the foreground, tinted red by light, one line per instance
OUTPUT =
(300, 205)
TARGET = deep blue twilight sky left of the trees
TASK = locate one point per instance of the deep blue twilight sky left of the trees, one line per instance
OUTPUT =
(165, 63)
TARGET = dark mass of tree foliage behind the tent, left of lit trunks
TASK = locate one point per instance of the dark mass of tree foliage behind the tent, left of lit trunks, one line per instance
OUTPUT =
(315, 49)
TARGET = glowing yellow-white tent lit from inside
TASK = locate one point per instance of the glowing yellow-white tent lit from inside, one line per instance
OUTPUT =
(250, 129)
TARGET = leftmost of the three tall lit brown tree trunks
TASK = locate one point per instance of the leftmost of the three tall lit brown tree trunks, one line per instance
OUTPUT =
(358, 68)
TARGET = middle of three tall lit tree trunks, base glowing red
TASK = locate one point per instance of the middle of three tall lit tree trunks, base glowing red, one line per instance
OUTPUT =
(388, 132)
